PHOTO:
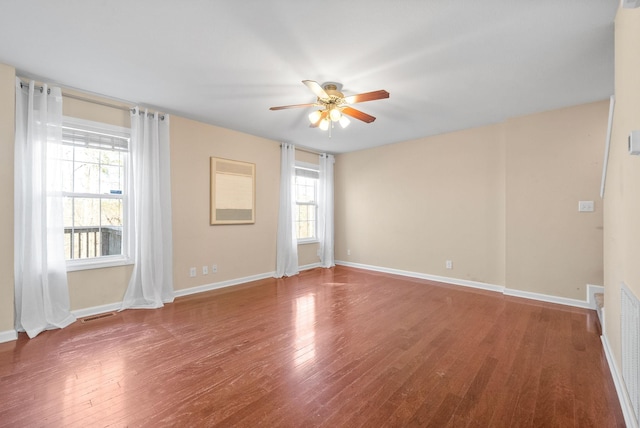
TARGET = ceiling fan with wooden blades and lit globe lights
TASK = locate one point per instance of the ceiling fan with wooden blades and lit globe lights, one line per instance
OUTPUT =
(334, 106)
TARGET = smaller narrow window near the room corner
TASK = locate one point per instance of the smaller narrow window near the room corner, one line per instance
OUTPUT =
(306, 186)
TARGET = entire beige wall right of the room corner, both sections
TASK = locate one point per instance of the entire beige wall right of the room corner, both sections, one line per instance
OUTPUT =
(499, 201)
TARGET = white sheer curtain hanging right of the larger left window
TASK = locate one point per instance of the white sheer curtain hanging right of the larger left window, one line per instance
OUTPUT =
(149, 213)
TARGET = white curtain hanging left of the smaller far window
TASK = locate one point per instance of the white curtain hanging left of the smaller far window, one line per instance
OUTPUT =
(287, 244)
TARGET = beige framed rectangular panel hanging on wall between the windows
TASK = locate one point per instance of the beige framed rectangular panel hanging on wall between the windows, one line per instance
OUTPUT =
(233, 192)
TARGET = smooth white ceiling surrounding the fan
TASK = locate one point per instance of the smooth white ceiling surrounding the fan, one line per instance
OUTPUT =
(448, 65)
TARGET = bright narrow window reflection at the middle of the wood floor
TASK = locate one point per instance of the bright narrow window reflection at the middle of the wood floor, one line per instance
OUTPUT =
(305, 340)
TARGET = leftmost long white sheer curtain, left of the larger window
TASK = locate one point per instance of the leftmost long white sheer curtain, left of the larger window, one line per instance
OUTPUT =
(41, 289)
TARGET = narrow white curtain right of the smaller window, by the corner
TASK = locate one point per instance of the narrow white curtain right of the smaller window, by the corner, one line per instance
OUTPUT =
(325, 211)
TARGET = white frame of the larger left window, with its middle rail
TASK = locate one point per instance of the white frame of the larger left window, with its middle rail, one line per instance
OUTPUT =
(109, 260)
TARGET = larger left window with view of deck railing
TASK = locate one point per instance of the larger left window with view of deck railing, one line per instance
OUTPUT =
(95, 162)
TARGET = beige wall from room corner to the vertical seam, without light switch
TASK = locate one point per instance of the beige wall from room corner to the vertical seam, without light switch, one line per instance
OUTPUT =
(414, 205)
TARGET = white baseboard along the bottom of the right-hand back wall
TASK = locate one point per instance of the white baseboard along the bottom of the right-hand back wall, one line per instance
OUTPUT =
(473, 284)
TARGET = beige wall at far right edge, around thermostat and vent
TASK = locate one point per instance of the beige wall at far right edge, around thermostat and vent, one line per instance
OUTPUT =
(622, 193)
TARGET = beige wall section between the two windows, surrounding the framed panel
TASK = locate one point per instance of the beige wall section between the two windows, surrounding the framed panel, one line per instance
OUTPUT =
(238, 250)
